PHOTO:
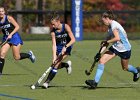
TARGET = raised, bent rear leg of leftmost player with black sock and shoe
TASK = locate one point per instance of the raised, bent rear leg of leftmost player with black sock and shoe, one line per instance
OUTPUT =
(19, 56)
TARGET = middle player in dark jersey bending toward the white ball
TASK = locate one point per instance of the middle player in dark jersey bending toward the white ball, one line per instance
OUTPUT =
(62, 41)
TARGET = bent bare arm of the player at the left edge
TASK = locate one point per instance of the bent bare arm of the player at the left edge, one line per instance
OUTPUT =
(12, 20)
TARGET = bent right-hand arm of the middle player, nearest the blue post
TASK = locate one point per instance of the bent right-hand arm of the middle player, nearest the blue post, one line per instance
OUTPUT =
(68, 29)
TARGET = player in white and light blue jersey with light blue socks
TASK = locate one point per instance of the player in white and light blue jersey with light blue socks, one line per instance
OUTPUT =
(120, 47)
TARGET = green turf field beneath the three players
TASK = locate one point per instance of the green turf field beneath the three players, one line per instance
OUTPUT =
(115, 84)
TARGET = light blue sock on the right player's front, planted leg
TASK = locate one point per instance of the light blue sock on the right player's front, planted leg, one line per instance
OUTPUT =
(99, 72)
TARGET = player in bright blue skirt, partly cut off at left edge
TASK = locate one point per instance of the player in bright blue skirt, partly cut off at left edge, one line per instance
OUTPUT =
(9, 29)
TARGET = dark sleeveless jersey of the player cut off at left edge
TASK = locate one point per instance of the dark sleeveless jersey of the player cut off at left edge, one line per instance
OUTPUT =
(6, 26)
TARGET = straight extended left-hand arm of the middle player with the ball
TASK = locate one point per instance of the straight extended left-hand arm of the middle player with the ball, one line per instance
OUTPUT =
(53, 46)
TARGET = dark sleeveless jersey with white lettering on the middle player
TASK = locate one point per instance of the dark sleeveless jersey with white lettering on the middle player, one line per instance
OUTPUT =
(62, 38)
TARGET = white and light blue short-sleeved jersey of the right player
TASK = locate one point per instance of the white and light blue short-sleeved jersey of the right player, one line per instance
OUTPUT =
(122, 45)
